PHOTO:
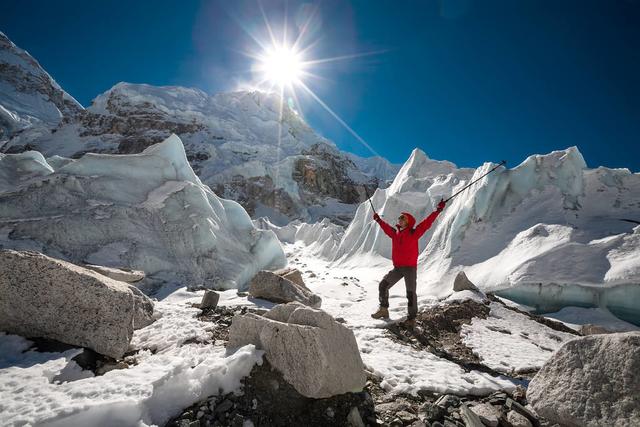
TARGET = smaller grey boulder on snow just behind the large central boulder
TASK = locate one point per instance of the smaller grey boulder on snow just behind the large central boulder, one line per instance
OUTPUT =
(272, 287)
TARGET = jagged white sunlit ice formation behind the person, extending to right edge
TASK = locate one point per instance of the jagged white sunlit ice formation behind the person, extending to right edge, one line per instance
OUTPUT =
(549, 232)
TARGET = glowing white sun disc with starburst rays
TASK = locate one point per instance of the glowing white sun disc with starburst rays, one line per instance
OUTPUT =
(281, 66)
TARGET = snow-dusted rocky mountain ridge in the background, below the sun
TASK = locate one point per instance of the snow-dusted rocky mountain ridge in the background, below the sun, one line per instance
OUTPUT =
(246, 145)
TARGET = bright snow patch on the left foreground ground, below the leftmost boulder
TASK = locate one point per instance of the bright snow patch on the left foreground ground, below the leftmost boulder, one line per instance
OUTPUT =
(169, 376)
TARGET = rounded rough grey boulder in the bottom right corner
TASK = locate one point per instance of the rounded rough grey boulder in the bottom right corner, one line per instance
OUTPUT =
(591, 380)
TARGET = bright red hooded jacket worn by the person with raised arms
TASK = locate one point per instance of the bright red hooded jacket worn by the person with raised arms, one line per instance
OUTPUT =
(404, 243)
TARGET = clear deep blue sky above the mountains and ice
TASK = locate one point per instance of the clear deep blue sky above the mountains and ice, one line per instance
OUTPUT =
(466, 81)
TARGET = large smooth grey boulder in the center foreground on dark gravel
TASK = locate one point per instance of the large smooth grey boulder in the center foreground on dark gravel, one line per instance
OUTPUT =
(318, 356)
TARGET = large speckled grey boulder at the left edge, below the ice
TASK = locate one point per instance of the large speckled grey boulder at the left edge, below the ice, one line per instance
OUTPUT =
(45, 297)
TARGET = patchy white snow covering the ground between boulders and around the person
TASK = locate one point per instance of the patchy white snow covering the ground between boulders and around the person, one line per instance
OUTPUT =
(176, 364)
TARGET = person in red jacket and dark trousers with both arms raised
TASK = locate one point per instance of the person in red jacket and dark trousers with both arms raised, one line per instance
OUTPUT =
(404, 254)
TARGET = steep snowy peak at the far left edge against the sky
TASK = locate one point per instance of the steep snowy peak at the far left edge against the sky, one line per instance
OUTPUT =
(28, 95)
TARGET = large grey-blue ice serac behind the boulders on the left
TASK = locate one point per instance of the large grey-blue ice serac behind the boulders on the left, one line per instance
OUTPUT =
(146, 211)
